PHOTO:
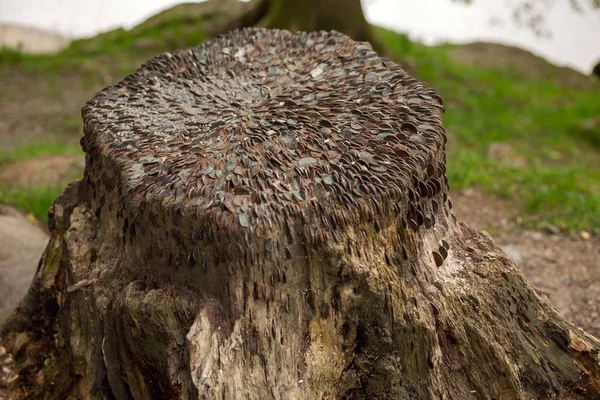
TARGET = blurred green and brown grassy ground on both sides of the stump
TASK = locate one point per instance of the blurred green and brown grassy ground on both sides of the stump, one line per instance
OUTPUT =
(556, 178)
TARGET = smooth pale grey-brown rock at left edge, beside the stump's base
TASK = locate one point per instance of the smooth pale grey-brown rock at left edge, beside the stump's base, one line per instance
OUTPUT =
(21, 245)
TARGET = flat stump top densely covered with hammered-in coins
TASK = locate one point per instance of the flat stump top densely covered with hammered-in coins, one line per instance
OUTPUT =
(259, 128)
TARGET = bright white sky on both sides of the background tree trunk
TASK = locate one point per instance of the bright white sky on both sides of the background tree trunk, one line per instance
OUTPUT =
(574, 42)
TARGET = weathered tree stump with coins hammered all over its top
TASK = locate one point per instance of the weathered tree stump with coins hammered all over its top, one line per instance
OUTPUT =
(266, 216)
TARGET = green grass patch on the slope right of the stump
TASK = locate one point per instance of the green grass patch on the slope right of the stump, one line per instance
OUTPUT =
(558, 178)
